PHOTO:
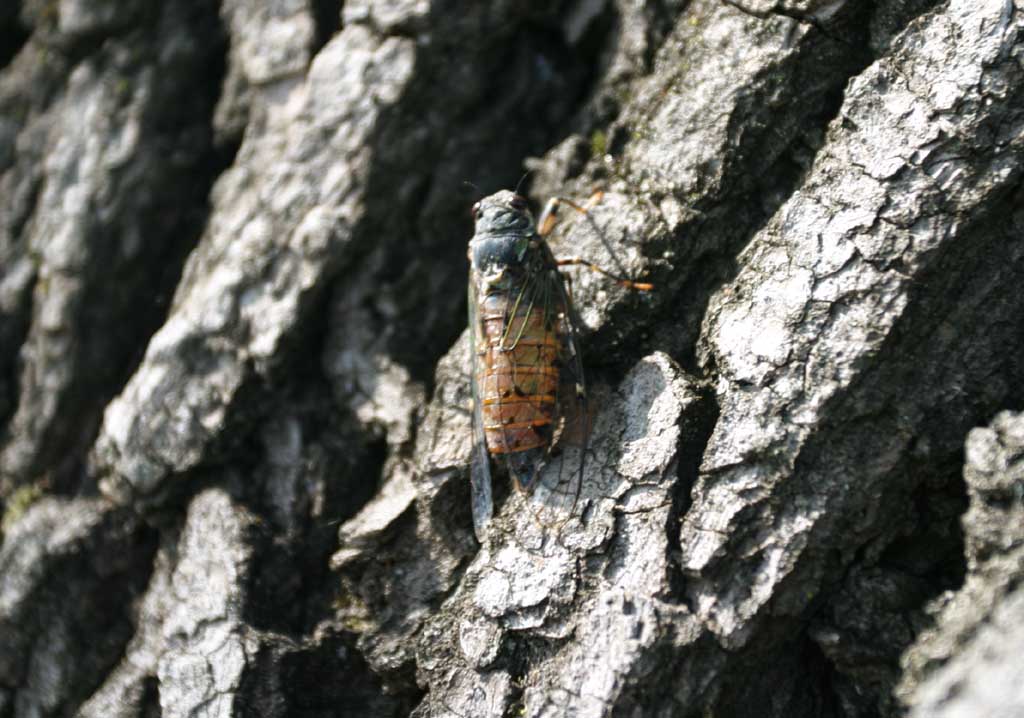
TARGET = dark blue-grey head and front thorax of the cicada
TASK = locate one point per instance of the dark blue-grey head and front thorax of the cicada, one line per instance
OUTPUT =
(504, 231)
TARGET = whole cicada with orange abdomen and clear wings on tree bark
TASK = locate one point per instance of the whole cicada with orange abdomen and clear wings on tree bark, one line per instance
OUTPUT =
(529, 389)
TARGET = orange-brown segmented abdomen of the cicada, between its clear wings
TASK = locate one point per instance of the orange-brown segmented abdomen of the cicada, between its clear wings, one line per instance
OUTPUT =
(519, 376)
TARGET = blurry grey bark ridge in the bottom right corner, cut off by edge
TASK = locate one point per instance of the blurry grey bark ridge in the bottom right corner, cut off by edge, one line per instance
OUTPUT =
(968, 663)
